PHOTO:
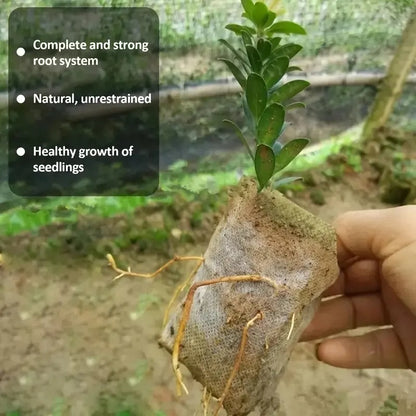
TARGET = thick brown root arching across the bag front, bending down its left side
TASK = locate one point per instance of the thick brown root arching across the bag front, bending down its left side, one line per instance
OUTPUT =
(187, 311)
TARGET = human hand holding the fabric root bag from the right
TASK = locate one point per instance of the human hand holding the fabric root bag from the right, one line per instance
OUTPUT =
(377, 287)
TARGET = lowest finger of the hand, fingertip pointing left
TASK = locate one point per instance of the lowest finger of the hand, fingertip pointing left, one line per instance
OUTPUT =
(378, 349)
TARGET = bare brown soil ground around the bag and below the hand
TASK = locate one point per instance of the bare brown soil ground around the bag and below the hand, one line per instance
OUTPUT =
(75, 343)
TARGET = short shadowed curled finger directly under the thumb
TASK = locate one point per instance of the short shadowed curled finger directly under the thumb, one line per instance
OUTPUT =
(362, 276)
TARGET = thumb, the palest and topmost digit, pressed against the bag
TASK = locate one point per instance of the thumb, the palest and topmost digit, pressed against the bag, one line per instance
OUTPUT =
(374, 233)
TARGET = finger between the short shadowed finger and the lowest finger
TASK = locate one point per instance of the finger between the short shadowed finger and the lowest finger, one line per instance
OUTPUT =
(343, 313)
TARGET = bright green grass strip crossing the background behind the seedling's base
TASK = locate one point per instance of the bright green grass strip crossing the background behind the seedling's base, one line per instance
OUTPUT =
(179, 178)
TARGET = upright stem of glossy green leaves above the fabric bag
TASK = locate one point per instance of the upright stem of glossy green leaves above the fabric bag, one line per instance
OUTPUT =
(259, 67)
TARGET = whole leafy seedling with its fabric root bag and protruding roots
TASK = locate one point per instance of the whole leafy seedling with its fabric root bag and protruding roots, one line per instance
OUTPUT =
(250, 296)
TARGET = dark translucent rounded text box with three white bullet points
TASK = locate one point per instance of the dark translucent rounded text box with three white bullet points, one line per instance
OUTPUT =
(83, 101)
